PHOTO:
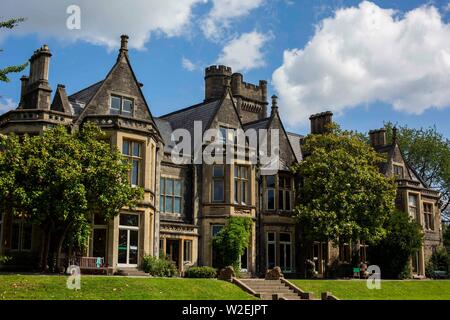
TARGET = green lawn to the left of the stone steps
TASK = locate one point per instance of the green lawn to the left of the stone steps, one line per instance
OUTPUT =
(39, 287)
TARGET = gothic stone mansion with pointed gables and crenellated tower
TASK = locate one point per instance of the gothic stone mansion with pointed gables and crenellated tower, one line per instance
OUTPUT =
(186, 205)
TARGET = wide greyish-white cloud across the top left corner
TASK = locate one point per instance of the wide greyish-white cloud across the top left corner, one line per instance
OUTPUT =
(102, 21)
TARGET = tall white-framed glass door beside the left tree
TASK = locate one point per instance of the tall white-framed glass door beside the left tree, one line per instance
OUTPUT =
(128, 248)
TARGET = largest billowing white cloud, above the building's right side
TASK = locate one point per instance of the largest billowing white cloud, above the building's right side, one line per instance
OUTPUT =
(366, 54)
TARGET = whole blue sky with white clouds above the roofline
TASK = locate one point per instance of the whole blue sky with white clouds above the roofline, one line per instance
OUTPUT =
(359, 59)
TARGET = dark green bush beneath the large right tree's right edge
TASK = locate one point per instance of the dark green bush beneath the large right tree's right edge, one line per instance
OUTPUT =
(403, 239)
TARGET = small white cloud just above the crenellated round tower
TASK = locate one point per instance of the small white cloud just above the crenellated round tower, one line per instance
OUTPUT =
(245, 52)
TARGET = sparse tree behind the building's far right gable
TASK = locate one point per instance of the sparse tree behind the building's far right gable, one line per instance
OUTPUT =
(428, 152)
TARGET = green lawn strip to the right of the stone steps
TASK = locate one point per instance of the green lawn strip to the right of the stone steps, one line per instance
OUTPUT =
(390, 290)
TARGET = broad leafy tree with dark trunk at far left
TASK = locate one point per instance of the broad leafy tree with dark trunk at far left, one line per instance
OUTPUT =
(59, 180)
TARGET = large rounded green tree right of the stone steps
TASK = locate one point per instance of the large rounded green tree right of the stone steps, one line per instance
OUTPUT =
(343, 197)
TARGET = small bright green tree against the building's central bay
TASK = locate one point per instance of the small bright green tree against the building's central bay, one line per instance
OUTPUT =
(230, 243)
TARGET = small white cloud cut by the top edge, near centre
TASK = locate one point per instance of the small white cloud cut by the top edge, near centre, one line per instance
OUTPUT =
(222, 14)
